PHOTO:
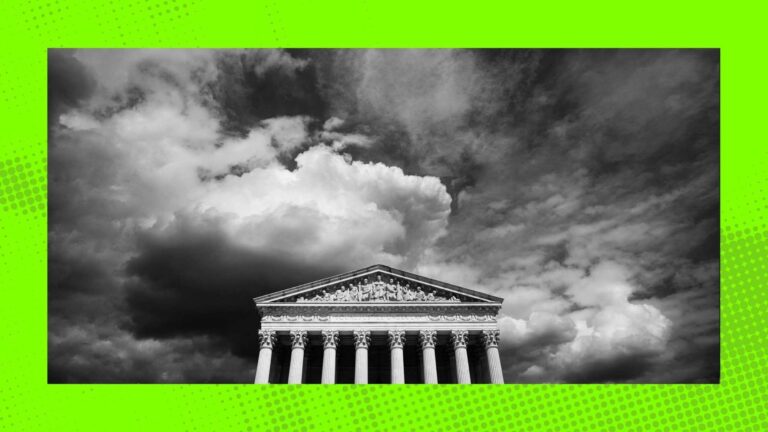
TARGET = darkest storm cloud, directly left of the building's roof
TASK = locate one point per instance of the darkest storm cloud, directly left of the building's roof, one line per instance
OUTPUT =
(193, 281)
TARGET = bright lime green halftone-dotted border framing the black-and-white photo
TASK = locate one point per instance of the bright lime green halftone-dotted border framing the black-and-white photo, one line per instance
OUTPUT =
(27, 402)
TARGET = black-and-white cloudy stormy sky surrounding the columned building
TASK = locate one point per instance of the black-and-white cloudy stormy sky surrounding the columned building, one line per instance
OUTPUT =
(582, 186)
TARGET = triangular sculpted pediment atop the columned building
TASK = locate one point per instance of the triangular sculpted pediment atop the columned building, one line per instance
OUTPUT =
(377, 284)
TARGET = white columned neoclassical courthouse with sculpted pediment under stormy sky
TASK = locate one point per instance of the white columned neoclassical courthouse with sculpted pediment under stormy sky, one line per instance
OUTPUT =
(378, 325)
